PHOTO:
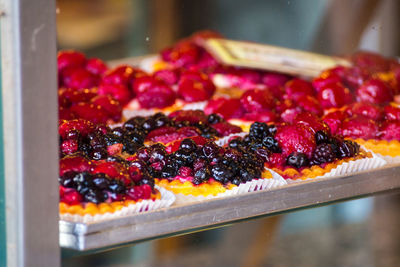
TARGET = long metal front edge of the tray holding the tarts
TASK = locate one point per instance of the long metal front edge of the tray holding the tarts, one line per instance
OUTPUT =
(178, 219)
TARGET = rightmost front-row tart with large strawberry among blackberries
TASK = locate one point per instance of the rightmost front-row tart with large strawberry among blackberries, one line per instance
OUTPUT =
(305, 149)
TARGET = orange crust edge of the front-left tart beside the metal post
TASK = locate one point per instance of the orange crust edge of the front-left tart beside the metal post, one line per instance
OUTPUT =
(93, 209)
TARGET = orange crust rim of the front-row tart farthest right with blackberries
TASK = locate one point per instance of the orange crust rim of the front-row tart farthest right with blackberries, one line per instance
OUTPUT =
(316, 170)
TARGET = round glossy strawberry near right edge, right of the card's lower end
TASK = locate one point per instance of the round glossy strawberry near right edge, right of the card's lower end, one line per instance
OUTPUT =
(374, 91)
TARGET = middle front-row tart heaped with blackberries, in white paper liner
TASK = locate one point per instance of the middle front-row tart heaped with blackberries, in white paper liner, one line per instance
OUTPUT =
(199, 168)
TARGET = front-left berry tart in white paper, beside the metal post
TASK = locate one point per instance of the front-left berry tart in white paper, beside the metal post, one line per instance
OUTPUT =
(100, 190)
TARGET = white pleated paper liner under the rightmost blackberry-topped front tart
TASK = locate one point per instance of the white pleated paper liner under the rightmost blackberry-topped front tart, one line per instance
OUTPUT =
(349, 167)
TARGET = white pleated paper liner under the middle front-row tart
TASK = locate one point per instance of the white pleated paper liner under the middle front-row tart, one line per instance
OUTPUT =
(254, 185)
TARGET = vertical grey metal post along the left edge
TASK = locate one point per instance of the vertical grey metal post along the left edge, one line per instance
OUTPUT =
(29, 83)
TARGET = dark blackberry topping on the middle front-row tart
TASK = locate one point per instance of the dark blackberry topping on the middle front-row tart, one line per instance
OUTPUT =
(201, 162)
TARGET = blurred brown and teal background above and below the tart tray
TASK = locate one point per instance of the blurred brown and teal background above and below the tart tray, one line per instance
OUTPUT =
(357, 233)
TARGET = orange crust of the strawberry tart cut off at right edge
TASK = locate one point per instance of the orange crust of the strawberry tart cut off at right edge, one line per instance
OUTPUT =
(383, 147)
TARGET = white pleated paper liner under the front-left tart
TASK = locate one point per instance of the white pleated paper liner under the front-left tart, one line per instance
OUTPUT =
(167, 198)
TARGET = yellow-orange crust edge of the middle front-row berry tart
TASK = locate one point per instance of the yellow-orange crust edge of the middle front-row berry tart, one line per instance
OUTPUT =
(204, 189)
